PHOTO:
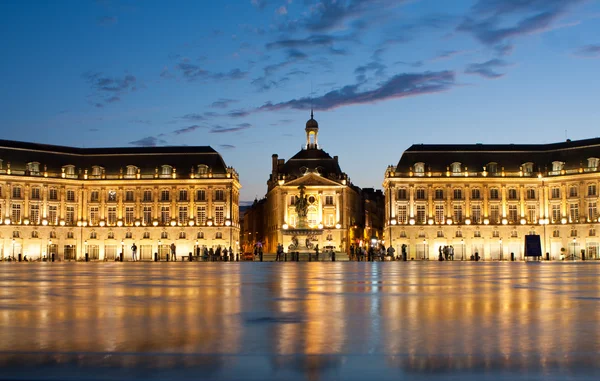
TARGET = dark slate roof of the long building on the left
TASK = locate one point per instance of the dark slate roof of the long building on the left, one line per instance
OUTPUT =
(113, 159)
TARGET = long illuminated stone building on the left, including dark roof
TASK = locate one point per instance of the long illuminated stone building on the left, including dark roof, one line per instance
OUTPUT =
(71, 201)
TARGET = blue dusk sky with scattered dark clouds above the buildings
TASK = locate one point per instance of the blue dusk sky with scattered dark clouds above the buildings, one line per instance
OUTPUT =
(242, 75)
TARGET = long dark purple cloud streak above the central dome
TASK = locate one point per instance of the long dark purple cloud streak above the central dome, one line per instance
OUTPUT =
(397, 87)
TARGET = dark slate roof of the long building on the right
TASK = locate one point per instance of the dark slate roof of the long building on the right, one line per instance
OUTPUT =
(510, 156)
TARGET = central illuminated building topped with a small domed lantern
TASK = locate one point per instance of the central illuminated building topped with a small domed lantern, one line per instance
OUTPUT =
(310, 200)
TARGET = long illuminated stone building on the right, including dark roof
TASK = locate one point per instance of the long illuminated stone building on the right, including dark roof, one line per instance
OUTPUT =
(485, 198)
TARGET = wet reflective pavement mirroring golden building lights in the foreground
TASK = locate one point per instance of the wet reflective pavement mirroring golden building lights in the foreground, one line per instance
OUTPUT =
(300, 321)
